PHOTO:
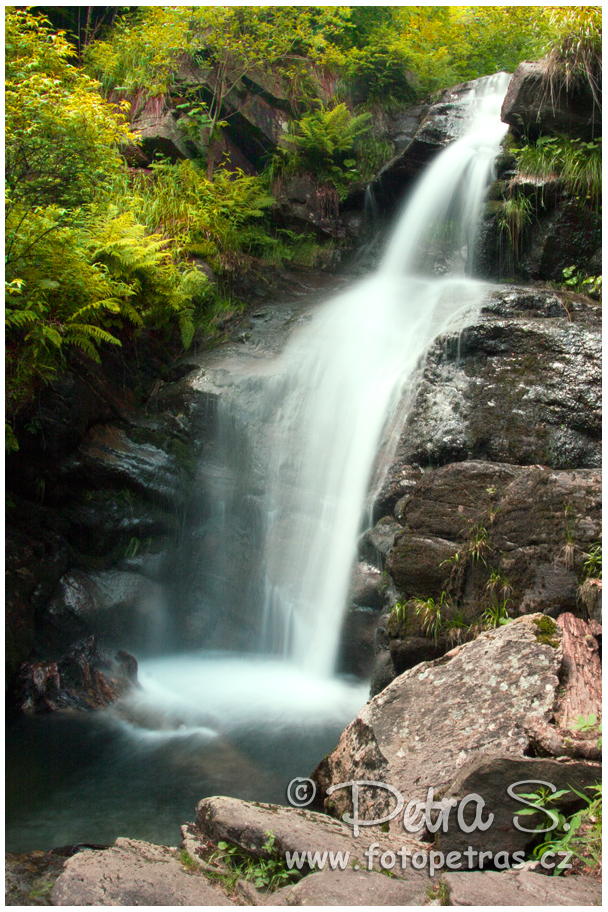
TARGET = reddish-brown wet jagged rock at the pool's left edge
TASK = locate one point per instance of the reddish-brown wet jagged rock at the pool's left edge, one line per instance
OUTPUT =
(83, 680)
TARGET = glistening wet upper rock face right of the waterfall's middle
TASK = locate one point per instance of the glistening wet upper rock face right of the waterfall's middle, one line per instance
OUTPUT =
(520, 385)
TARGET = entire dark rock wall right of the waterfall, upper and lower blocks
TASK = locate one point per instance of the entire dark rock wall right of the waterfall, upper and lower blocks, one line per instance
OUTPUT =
(510, 412)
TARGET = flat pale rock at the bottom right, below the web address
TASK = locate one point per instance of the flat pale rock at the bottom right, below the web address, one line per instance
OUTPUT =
(520, 888)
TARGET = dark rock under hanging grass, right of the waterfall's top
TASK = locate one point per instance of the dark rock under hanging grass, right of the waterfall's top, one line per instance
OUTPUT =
(531, 107)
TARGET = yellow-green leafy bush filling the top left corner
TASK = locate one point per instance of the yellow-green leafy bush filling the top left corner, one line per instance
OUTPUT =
(61, 137)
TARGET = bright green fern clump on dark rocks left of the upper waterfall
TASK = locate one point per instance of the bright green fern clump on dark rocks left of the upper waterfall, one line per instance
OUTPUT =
(322, 144)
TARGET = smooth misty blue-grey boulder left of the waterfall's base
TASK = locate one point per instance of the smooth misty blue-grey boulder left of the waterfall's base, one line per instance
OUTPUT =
(122, 608)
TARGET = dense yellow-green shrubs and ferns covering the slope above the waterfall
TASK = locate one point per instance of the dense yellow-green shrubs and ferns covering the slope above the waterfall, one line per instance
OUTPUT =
(96, 250)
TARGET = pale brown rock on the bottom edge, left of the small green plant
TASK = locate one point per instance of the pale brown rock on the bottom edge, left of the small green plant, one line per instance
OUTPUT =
(134, 873)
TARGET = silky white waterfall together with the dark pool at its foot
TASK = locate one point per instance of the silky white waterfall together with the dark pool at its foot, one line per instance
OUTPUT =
(284, 505)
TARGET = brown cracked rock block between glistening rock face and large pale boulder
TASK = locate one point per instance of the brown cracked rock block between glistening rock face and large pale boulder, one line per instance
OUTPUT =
(536, 524)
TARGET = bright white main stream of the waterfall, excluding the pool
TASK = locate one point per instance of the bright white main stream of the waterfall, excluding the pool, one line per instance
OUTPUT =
(342, 375)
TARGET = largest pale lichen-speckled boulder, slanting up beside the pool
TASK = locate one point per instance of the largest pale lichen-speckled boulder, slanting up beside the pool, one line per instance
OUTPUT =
(422, 729)
